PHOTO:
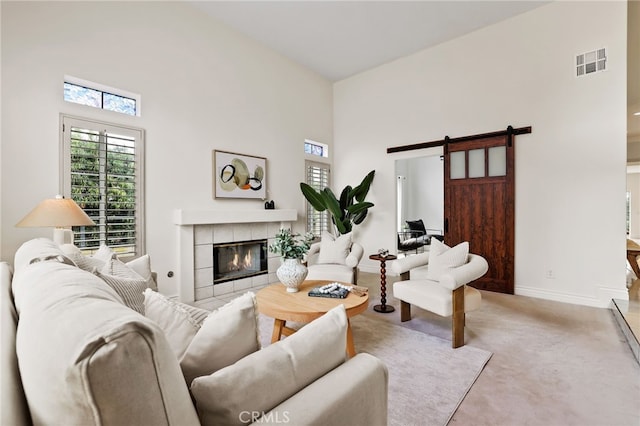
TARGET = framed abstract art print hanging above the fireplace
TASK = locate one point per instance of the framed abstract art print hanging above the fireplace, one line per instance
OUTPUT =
(239, 176)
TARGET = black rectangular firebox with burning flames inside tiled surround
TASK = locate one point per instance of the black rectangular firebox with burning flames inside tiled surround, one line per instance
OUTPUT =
(239, 259)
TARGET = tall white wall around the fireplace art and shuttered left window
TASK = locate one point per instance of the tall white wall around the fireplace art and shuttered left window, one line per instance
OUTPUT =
(203, 87)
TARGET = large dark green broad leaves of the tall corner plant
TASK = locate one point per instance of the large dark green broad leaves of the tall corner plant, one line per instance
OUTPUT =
(348, 210)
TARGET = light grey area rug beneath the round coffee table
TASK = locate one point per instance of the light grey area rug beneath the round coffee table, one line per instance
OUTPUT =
(427, 378)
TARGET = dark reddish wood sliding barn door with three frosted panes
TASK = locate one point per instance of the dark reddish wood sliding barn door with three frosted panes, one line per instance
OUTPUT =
(479, 205)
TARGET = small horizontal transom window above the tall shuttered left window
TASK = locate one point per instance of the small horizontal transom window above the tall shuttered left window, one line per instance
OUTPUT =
(99, 96)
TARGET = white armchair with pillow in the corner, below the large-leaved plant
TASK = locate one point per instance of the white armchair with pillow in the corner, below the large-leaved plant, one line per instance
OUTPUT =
(334, 259)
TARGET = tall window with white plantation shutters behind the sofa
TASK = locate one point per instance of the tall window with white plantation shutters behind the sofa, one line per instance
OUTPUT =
(102, 172)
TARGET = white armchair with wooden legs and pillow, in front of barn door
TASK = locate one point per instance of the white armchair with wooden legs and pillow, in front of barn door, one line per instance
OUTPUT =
(436, 281)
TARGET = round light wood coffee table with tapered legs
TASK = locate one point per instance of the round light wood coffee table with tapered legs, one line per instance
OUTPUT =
(274, 301)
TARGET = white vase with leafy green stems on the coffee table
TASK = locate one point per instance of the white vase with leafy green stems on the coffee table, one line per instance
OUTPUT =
(292, 248)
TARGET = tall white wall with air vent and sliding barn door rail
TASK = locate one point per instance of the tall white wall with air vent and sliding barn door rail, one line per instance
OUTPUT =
(570, 172)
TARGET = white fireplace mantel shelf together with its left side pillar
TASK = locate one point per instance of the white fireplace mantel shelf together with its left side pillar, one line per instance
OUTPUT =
(188, 220)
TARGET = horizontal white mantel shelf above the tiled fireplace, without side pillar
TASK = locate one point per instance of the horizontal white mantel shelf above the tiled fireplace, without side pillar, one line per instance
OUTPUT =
(208, 217)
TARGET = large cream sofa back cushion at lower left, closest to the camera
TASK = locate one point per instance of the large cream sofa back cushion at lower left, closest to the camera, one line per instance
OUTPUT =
(85, 358)
